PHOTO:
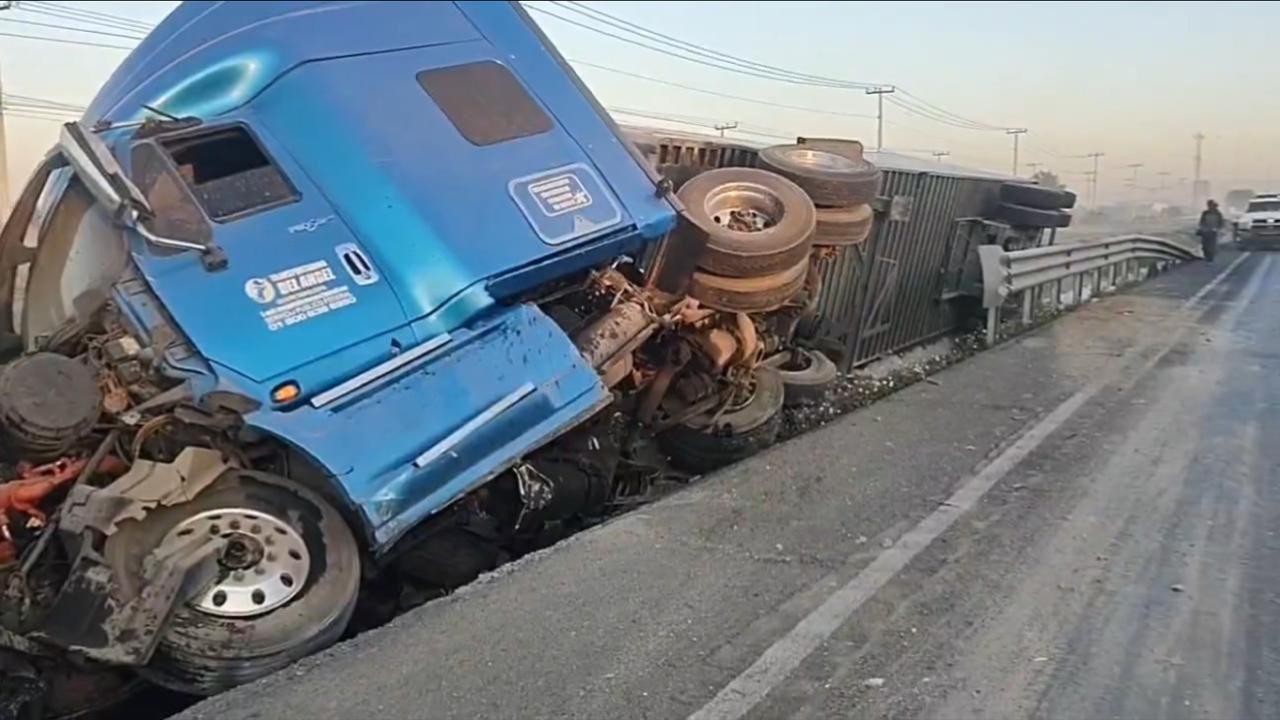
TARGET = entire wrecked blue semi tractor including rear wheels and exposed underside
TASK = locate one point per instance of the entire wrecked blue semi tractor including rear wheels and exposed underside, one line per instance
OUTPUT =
(326, 308)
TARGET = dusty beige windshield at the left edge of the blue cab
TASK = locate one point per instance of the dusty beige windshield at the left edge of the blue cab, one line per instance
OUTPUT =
(80, 254)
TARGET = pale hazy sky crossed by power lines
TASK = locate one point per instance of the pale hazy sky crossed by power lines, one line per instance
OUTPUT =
(1132, 80)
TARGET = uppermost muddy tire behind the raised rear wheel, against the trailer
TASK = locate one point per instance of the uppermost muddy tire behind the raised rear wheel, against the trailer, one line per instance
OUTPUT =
(831, 179)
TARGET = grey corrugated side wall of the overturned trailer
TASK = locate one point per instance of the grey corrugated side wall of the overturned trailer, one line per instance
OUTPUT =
(888, 294)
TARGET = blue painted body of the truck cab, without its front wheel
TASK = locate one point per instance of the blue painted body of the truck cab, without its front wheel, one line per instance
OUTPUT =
(386, 180)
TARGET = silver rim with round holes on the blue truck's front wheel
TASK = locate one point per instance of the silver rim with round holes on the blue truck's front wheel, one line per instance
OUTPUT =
(264, 562)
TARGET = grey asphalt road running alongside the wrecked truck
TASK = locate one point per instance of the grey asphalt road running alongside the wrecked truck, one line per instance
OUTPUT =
(1081, 523)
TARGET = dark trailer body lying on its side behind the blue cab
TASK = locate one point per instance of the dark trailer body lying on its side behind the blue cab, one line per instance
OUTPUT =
(902, 284)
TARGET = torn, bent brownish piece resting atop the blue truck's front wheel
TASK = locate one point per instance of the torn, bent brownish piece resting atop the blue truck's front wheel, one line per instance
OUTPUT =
(145, 486)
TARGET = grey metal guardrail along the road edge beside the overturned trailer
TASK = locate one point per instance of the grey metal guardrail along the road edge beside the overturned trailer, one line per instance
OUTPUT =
(1100, 266)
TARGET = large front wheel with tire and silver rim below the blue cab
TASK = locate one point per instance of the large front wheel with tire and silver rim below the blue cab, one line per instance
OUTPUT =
(290, 581)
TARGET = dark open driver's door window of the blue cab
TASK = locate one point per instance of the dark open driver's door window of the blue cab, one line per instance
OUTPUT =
(228, 174)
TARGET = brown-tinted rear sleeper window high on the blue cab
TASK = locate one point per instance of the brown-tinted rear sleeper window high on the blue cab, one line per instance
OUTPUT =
(484, 102)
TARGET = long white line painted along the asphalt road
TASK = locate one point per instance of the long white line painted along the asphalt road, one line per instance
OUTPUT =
(783, 658)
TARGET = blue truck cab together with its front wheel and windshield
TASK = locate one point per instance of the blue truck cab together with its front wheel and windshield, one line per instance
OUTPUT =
(341, 215)
